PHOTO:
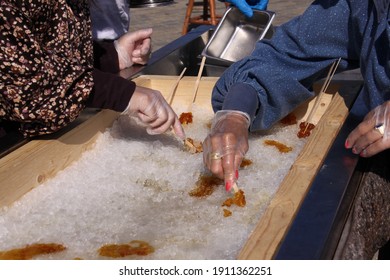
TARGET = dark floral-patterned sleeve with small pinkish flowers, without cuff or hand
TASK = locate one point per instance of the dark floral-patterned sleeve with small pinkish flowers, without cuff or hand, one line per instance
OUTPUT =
(46, 63)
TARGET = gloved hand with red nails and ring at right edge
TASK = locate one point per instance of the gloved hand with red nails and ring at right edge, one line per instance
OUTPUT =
(372, 135)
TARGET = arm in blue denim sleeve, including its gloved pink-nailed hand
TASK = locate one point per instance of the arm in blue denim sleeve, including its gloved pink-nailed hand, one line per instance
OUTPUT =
(274, 80)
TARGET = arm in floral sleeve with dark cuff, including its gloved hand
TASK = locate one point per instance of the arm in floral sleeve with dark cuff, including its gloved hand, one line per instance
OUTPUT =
(46, 84)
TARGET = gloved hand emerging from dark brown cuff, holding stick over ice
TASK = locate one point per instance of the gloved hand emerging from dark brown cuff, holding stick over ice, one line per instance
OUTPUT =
(150, 107)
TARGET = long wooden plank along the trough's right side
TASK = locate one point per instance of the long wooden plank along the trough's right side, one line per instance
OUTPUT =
(272, 227)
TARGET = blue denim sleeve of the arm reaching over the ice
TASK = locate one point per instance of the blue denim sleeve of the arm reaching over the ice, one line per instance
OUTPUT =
(281, 70)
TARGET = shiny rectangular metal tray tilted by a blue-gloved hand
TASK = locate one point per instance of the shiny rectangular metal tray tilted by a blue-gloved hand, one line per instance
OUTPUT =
(236, 35)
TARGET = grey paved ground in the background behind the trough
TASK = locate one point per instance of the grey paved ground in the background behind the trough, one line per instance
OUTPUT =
(167, 21)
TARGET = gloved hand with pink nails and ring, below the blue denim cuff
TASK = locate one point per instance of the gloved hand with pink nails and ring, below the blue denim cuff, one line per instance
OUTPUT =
(225, 146)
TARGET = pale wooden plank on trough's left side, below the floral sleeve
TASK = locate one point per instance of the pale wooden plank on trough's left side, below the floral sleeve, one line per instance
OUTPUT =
(39, 160)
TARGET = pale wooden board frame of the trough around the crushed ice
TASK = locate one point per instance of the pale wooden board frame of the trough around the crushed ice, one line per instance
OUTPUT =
(38, 160)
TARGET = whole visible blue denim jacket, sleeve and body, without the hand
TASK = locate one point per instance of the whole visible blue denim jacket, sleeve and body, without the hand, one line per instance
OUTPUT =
(276, 77)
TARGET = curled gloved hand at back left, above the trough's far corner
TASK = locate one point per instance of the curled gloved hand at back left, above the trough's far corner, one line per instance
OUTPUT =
(134, 48)
